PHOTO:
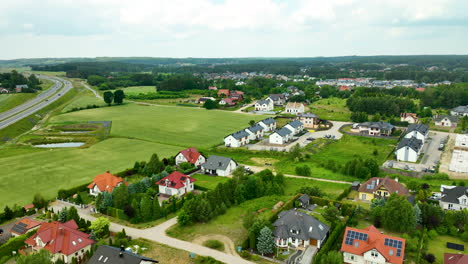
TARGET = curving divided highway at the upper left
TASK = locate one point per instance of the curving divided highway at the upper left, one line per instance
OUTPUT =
(30, 107)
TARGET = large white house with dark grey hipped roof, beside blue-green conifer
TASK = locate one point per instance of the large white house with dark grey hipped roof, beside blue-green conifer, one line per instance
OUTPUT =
(299, 230)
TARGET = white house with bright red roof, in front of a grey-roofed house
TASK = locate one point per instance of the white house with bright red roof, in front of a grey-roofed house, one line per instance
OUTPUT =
(176, 183)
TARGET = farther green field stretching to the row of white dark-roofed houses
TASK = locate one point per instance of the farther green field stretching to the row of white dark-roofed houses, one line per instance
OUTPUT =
(180, 126)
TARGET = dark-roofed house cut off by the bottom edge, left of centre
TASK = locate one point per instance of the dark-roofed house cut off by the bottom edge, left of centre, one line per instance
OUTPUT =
(113, 255)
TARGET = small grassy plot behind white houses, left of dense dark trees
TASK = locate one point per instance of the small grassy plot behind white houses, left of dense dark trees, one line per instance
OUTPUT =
(331, 109)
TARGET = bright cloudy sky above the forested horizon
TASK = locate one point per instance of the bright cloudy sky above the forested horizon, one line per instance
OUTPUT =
(231, 28)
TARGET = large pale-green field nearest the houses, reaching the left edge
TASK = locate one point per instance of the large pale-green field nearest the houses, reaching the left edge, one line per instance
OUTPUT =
(47, 171)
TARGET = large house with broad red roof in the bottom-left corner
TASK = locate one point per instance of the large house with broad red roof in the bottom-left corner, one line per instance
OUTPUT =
(63, 240)
